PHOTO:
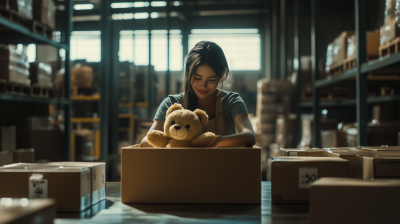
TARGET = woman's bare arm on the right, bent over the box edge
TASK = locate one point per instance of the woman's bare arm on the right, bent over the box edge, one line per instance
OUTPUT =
(245, 137)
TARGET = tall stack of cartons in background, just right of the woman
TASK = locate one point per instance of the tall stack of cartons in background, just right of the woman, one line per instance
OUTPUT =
(273, 100)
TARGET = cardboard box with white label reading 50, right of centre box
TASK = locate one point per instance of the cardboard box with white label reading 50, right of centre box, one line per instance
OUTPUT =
(291, 176)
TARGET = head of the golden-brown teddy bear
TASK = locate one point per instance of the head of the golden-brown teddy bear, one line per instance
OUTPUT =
(182, 124)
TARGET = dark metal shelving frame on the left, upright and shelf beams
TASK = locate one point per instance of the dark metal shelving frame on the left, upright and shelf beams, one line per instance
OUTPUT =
(14, 33)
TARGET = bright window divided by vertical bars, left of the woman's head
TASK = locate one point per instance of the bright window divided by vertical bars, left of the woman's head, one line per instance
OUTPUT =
(134, 47)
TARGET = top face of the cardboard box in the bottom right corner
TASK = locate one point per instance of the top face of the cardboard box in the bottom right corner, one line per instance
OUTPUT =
(337, 182)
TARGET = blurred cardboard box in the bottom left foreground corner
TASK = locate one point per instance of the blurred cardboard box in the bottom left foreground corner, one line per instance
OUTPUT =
(23, 210)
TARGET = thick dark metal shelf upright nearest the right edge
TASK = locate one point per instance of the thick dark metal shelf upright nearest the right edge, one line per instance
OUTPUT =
(361, 80)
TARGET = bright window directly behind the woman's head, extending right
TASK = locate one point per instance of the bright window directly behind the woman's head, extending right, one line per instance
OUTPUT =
(241, 46)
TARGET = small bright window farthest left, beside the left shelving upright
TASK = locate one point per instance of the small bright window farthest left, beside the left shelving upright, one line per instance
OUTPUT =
(86, 45)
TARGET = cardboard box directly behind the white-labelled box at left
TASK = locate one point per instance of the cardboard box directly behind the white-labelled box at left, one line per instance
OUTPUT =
(98, 177)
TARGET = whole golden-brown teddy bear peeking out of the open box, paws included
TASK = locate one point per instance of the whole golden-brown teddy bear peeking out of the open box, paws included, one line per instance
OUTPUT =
(182, 128)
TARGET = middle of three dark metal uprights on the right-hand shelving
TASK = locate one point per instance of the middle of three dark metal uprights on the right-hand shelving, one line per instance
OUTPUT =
(316, 135)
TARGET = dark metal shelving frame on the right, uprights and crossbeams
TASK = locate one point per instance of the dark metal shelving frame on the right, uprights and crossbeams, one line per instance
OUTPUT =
(359, 73)
